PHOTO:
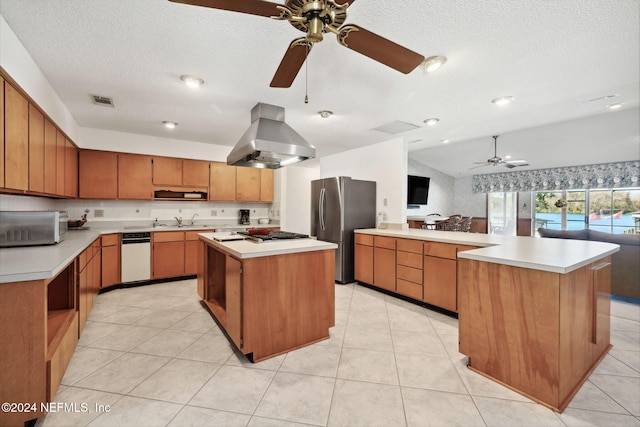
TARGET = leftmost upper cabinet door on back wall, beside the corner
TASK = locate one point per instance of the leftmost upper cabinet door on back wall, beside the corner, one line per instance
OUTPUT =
(98, 174)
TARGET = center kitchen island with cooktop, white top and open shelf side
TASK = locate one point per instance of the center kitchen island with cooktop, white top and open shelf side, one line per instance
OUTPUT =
(270, 297)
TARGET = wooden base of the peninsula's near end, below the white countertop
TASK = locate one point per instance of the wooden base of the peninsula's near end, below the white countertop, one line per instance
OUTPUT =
(539, 333)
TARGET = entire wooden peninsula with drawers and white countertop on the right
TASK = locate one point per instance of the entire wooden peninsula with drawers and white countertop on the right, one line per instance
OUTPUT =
(533, 313)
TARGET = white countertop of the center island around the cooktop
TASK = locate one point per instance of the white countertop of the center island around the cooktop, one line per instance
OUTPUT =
(247, 249)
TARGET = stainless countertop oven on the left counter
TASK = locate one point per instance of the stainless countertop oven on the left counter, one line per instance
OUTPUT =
(22, 228)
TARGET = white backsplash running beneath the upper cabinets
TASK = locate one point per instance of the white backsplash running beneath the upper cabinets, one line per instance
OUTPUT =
(131, 210)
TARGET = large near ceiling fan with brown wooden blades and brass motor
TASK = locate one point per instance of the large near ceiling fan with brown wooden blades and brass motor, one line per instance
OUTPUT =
(316, 17)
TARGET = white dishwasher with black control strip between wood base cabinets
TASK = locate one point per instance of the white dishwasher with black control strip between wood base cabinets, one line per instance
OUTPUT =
(136, 256)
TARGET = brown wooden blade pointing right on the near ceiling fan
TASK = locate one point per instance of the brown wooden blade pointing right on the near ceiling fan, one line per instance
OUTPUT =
(379, 49)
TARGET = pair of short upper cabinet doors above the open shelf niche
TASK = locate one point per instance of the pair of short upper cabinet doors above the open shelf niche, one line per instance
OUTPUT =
(180, 172)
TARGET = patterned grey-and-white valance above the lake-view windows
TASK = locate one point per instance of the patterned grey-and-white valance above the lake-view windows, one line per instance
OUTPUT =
(606, 175)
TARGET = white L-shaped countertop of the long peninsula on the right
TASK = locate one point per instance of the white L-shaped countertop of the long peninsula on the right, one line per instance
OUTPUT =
(554, 255)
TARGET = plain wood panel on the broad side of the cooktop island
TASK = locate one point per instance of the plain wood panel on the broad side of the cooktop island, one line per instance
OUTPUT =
(288, 301)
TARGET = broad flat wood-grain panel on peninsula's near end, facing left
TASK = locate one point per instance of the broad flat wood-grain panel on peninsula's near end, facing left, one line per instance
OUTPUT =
(509, 326)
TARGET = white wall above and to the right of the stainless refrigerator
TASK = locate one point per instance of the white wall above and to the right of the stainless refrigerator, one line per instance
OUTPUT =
(385, 163)
